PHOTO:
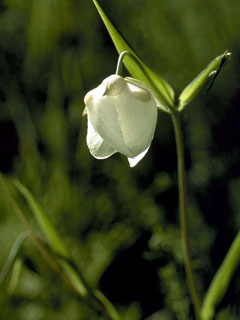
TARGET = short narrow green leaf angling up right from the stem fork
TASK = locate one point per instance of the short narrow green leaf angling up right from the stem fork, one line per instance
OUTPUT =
(208, 74)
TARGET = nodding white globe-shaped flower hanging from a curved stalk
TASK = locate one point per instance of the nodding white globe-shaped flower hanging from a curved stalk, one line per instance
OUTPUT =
(122, 117)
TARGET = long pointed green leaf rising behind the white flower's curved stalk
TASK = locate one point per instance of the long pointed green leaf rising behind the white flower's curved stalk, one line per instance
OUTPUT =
(136, 67)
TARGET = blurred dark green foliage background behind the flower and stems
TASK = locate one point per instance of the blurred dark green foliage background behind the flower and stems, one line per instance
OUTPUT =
(120, 224)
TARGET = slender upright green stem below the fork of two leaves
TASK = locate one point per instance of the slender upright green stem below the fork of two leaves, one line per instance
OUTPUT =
(183, 212)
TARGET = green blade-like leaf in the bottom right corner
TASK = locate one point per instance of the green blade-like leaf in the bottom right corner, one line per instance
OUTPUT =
(221, 280)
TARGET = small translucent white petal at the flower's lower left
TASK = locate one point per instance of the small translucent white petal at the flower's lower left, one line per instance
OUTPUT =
(97, 146)
